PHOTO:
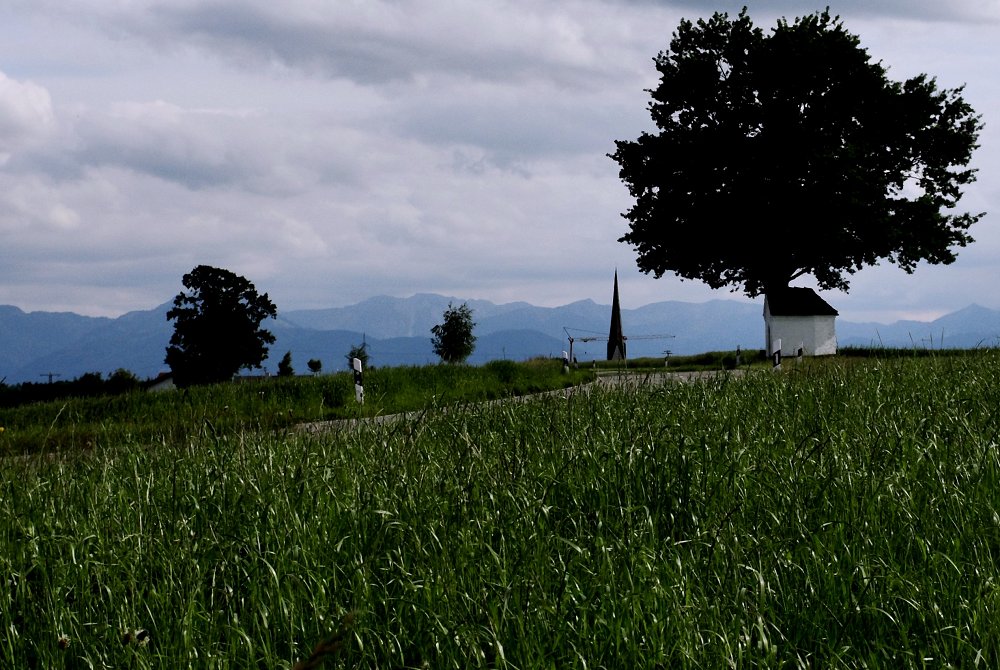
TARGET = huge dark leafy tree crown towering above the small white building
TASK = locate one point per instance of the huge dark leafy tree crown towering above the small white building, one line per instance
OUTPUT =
(792, 153)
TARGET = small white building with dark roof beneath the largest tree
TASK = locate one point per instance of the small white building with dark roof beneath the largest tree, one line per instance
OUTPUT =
(799, 319)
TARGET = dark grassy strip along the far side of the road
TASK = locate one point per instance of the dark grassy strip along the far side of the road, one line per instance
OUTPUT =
(273, 403)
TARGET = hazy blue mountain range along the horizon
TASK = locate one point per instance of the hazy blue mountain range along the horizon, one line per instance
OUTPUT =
(35, 345)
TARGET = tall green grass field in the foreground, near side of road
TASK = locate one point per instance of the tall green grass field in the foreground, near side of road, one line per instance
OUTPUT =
(838, 514)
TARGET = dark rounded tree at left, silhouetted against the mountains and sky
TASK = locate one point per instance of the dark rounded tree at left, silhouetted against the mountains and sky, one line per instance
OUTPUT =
(217, 327)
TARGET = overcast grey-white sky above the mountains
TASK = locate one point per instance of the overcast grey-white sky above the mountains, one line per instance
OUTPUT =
(334, 150)
